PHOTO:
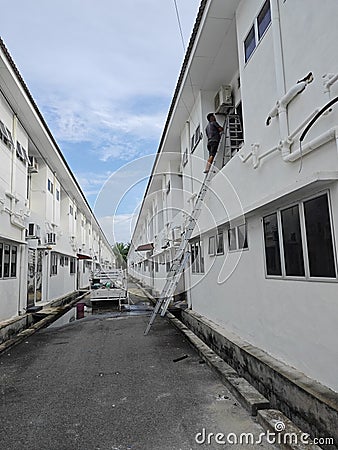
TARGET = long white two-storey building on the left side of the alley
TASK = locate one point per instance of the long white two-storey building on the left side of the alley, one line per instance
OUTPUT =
(50, 239)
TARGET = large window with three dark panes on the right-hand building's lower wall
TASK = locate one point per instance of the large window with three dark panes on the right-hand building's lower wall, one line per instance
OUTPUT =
(299, 241)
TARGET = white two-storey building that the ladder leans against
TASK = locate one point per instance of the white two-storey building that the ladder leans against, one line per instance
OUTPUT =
(263, 264)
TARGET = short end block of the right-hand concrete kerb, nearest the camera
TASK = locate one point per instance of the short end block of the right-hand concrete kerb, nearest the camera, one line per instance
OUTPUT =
(288, 436)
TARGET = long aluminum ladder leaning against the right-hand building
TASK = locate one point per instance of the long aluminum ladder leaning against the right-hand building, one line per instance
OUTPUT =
(182, 254)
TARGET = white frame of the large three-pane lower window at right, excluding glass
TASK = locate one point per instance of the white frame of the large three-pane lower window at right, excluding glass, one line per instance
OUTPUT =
(307, 276)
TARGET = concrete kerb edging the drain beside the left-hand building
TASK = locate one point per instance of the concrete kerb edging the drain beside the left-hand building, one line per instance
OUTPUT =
(52, 317)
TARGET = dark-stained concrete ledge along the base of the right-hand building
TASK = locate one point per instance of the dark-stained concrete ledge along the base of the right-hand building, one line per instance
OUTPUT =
(310, 405)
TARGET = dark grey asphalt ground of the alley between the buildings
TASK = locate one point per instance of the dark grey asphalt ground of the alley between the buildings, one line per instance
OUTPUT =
(99, 384)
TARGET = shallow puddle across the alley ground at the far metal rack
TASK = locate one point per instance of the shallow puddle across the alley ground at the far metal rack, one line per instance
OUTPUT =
(112, 311)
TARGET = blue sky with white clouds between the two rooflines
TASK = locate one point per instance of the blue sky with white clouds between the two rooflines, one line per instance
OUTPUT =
(103, 74)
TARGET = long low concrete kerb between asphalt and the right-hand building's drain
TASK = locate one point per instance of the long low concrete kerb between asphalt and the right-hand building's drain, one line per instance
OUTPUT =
(246, 394)
